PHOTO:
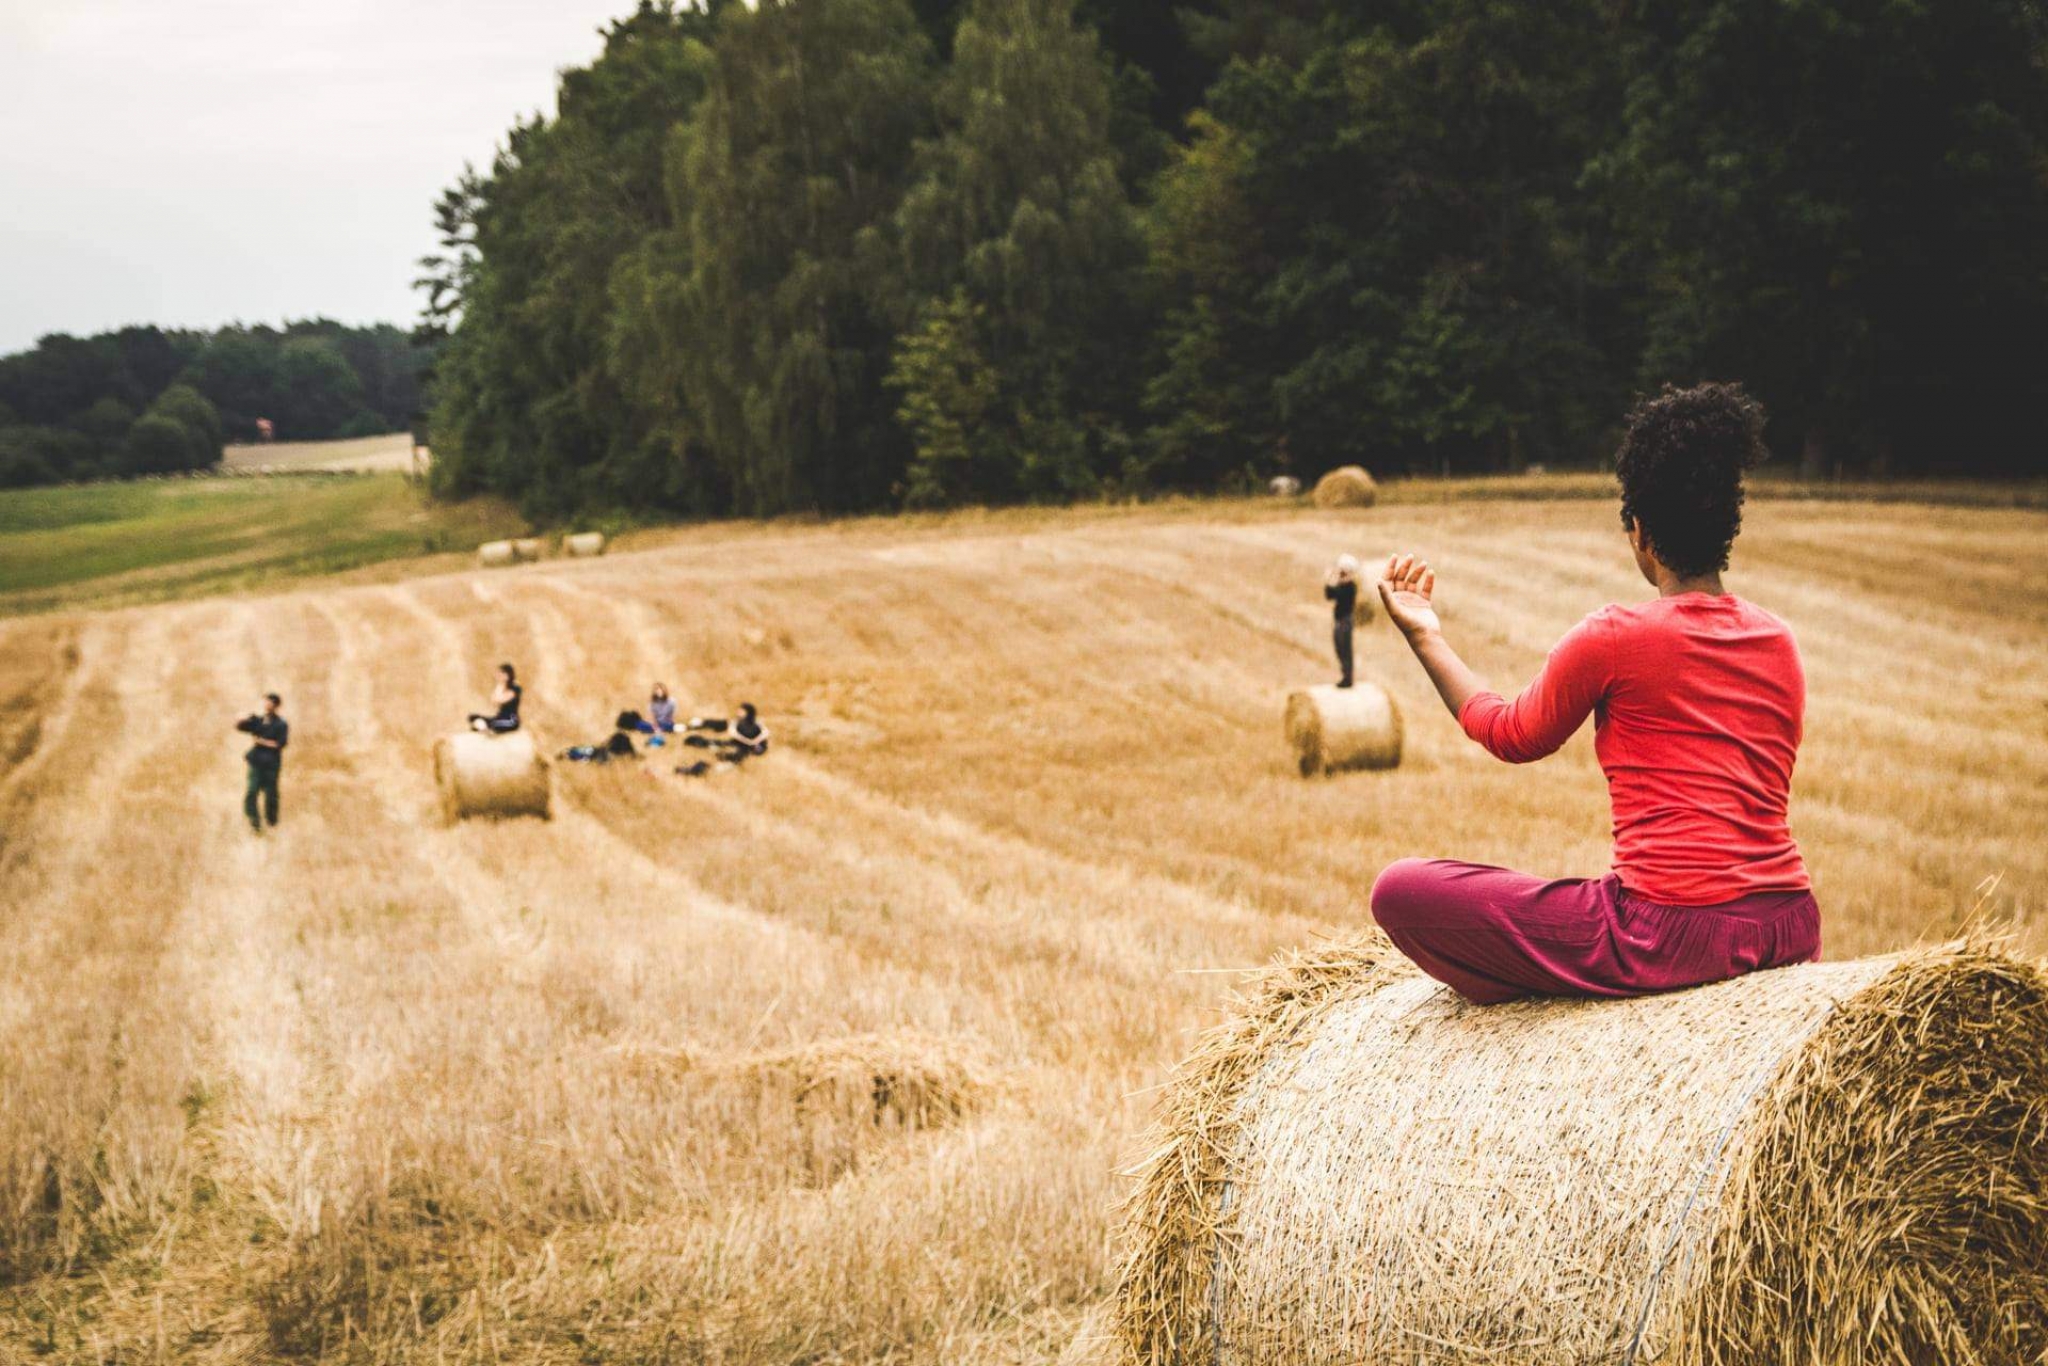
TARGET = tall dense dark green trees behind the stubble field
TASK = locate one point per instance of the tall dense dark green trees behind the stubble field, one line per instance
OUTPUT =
(906, 253)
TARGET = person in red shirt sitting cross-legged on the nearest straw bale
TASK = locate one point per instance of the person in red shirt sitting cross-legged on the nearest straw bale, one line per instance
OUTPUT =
(1699, 706)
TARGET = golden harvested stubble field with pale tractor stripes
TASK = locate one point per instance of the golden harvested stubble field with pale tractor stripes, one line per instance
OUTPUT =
(833, 1060)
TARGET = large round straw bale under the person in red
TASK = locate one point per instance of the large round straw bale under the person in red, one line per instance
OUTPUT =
(1828, 1164)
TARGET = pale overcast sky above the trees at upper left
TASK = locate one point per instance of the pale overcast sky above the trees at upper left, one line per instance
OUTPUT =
(194, 163)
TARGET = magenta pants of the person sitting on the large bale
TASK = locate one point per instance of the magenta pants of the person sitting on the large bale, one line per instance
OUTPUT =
(1494, 935)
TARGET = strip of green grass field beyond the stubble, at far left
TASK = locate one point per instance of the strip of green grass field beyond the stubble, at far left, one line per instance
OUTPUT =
(122, 544)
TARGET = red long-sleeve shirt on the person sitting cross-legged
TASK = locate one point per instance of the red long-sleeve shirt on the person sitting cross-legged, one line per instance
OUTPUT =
(1697, 706)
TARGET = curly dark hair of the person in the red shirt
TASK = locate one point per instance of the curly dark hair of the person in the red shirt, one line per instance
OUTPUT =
(1682, 472)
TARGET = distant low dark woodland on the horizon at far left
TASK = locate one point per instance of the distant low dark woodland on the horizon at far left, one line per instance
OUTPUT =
(144, 400)
